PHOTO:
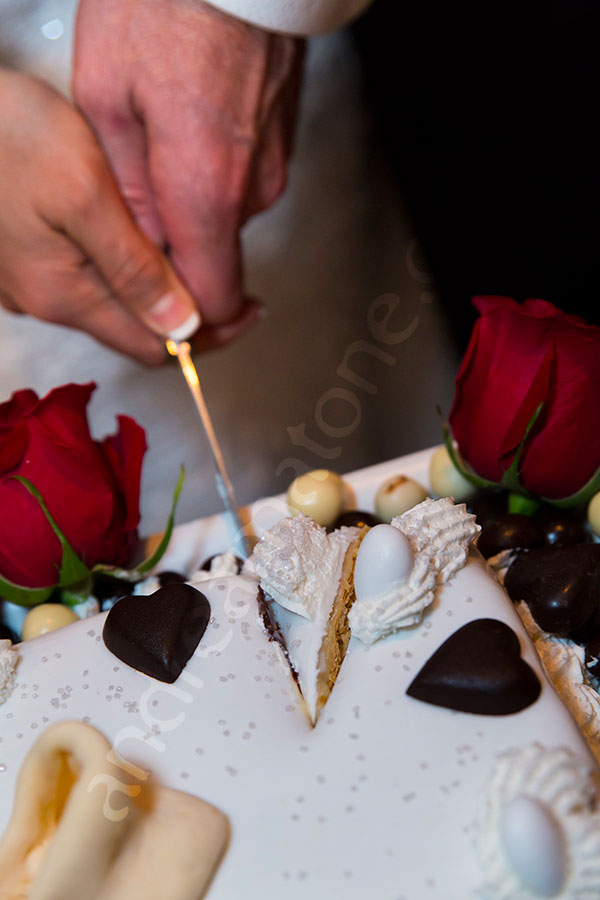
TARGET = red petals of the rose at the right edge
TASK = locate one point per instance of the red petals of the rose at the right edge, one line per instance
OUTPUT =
(521, 355)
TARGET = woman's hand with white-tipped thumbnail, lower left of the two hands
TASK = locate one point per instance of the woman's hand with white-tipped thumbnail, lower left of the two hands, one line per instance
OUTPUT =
(70, 250)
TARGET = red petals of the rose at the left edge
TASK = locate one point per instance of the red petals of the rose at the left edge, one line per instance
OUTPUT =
(91, 489)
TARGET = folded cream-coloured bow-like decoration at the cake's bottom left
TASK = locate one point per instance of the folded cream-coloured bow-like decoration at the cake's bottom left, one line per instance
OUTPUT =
(81, 831)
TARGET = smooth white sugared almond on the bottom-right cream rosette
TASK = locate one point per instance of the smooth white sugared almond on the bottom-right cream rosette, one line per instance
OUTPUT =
(535, 845)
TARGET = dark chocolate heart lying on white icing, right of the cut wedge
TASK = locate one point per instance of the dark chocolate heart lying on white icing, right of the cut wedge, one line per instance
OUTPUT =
(478, 669)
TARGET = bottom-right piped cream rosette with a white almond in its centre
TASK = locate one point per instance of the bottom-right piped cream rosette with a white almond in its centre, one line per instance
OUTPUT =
(538, 832)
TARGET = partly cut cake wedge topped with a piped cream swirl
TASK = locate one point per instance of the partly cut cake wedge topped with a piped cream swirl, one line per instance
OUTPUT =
(308, 573)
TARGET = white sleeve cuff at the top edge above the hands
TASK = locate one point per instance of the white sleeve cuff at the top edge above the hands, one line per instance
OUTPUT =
(299, 17)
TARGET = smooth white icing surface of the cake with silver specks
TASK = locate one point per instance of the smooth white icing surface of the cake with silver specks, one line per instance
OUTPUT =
(382, 798)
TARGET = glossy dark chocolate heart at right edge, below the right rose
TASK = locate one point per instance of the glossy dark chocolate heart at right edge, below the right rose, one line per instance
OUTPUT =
(560, 585)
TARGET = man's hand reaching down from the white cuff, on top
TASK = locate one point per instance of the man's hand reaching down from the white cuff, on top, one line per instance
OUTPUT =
(195, 111)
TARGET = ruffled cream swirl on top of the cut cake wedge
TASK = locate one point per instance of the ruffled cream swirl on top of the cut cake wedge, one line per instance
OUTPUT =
(299, 564)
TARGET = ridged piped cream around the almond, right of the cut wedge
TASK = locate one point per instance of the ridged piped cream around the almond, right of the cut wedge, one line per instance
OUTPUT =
(440, 534)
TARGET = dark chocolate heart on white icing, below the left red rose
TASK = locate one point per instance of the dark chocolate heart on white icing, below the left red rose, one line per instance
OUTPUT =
(157, 634)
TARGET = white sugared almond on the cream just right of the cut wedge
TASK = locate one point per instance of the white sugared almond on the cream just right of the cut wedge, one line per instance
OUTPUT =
(384, 561)
